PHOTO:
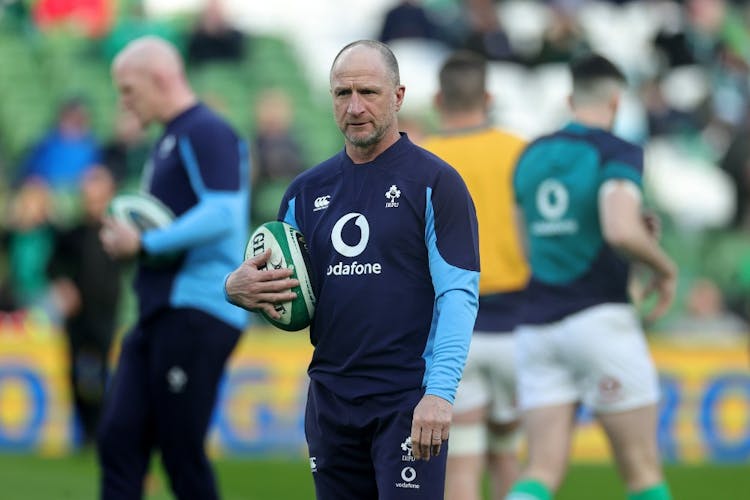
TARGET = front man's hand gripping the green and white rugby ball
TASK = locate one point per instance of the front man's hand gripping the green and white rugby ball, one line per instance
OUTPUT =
(255, 288)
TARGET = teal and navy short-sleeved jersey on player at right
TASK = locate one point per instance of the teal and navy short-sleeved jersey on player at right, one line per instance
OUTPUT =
(557, 183)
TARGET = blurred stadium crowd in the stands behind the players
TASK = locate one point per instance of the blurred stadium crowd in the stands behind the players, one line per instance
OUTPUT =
(265, 66)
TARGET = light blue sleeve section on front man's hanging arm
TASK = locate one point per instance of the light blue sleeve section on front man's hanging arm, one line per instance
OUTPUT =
(456, 304)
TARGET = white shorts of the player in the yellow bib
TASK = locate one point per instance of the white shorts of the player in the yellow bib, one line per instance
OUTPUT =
(489, 377)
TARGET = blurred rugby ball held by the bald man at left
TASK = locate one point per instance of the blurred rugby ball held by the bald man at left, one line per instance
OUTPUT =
(143, 211)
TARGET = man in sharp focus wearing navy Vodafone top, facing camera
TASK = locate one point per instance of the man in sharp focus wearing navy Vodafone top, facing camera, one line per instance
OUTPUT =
(390, 341)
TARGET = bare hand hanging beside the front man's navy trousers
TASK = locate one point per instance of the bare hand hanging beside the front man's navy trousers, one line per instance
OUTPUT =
(430, 426)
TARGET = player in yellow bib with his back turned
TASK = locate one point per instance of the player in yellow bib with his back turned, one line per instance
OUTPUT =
(485, 432)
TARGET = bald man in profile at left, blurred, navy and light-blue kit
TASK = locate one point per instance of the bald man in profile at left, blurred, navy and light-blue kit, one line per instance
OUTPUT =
(167, 378)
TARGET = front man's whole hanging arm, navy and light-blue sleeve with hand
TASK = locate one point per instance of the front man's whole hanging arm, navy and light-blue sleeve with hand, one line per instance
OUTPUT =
(452, 246)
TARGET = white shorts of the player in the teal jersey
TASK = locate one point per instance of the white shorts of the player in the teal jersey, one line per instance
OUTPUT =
(598, 356)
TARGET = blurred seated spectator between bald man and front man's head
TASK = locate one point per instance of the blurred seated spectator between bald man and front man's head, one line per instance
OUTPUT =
(277, 154)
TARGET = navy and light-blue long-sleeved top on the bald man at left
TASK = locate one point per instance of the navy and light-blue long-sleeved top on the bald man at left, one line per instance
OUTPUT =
(199, 169)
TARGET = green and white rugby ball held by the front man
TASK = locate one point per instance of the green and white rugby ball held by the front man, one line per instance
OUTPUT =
(288, 249)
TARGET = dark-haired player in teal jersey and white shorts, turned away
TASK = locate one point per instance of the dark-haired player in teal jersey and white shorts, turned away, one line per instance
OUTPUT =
(581, 340)
